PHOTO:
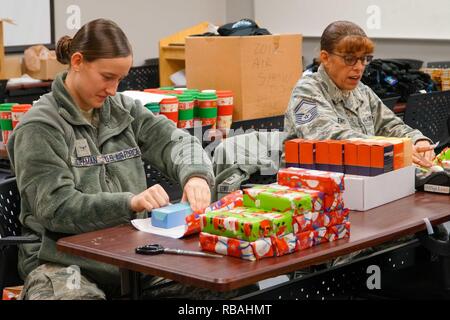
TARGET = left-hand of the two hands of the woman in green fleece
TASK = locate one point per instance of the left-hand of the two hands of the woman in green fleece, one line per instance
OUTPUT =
(152, 198)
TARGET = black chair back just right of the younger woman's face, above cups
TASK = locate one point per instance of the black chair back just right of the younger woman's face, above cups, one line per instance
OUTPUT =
(143, 77)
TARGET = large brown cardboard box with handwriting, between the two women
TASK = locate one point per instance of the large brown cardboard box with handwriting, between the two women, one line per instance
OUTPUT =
(260, 70)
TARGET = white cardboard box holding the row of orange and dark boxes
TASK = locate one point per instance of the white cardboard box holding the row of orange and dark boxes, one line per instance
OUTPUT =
(364, 193)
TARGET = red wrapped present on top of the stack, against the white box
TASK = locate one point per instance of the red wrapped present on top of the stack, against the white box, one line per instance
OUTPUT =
(327, 182)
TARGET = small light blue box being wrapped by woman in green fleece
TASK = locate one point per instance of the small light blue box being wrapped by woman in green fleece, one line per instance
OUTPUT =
(171, 216)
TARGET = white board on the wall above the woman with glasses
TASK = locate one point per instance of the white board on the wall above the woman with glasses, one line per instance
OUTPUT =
(392, 19)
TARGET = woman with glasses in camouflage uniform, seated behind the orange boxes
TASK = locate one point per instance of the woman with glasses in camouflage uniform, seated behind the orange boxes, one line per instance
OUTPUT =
(333, 103)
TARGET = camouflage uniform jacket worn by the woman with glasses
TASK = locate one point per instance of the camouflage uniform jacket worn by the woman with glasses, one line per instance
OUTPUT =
(318, 109)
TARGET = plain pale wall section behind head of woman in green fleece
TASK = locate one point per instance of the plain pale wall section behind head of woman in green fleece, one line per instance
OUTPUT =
(144, 21)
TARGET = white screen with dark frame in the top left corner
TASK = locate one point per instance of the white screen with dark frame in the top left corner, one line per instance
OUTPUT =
(34, 23)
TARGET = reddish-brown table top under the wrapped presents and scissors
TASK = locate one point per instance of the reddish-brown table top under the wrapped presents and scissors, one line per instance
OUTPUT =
(388, 222)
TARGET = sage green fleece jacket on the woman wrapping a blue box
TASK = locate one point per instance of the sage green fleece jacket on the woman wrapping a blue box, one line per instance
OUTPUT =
(75, 178)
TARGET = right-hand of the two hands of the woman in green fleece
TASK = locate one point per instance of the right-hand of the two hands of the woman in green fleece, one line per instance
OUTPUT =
(197, 193)
